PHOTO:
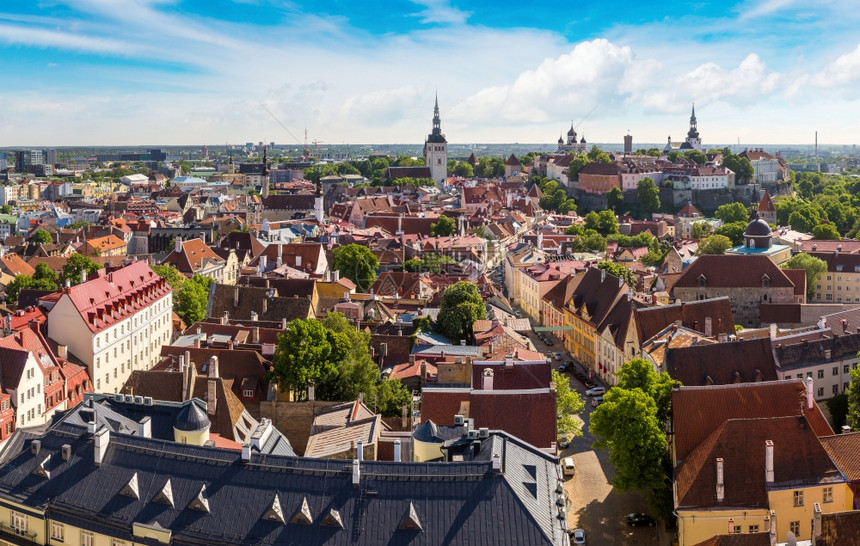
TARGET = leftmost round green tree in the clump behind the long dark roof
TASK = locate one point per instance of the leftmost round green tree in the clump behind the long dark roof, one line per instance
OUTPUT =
(303, 356)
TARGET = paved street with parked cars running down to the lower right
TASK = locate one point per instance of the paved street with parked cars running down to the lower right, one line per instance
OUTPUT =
(595, 505)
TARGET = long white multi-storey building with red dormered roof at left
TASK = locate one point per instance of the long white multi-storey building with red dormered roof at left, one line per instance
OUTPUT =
(115, 323)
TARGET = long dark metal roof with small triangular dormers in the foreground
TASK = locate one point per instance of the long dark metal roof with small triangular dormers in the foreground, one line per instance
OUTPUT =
(456, 503)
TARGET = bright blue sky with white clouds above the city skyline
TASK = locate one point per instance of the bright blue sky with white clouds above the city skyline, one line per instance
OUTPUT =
(181, 72)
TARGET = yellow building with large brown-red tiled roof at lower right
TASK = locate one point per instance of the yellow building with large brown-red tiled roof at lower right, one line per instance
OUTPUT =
(747, 474)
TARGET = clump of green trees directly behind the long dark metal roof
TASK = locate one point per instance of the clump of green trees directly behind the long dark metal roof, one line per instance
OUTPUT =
(334, 357)
